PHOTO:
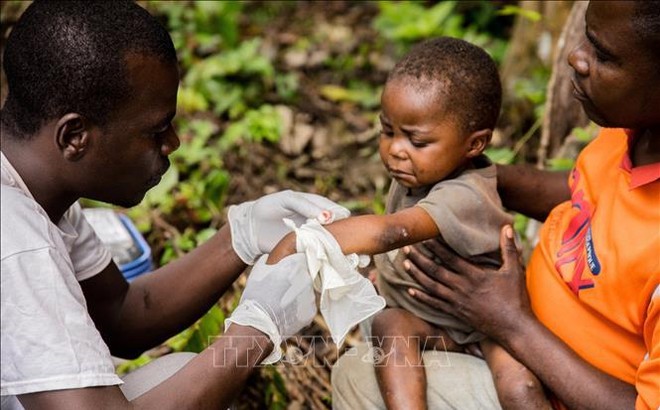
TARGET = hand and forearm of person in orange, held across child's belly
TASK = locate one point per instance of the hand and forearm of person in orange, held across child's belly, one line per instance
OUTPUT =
(496, 303)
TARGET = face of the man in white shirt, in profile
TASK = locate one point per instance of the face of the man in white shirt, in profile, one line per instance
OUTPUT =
(132, 148)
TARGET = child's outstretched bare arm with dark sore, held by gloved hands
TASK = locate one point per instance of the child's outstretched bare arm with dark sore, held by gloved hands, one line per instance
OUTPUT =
(371, 234)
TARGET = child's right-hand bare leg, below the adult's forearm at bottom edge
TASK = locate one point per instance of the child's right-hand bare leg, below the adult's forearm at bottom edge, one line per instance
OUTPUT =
(516, 386)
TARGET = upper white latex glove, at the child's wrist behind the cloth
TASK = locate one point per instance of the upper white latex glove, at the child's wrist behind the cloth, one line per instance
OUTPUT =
(257, 226)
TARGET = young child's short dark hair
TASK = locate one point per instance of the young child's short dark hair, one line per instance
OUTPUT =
(464, 75)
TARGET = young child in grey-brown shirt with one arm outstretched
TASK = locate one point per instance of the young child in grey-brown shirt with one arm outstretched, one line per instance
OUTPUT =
(439, 107)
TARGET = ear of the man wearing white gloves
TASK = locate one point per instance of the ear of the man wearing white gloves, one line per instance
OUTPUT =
(72, 136)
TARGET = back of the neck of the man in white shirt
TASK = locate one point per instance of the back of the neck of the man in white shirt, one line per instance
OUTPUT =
(39, 175)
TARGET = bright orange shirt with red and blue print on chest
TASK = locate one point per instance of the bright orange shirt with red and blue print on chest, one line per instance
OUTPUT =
(594, 278)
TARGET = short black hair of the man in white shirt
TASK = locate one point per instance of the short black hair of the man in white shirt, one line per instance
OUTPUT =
(69, 56)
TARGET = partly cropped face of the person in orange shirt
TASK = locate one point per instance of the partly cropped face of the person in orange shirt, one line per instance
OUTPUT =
(615, 75)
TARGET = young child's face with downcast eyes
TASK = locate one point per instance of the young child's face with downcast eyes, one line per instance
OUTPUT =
(419, 144)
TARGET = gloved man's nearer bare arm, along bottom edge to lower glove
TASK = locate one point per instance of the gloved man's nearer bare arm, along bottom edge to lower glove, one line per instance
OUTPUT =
(210, 380)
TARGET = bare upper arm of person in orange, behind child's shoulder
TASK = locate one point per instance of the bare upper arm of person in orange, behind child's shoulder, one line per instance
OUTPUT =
(531, 191)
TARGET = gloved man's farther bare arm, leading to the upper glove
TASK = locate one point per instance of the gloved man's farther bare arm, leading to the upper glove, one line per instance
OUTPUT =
(134, 318)
